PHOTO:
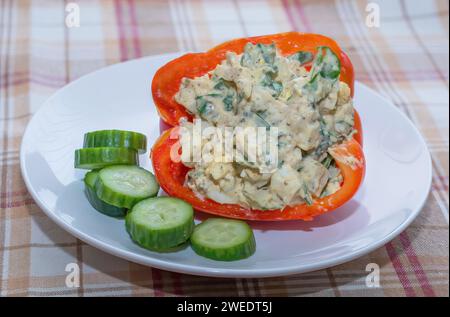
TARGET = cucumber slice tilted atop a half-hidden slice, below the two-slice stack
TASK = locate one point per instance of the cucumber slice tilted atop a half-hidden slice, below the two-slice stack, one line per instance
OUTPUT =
(125, 185)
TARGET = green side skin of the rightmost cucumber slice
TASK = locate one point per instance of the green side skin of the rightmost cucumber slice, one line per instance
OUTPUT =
(237, 252)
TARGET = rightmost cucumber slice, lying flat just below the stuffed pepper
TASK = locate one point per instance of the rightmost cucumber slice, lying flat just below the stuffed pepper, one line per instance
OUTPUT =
(223, 239)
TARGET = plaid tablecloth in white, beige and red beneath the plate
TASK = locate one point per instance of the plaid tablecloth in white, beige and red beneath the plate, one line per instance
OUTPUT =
(405, 59)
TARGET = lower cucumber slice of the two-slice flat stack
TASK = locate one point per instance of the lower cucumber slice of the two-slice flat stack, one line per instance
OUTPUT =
(94, 158)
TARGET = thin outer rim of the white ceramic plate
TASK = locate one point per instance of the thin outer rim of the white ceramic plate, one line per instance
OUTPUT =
(219, 272)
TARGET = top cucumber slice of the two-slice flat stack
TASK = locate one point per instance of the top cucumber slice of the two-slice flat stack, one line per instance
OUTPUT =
(116, 138)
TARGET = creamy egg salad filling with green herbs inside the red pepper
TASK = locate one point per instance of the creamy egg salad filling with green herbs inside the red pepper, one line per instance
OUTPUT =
(312, 111)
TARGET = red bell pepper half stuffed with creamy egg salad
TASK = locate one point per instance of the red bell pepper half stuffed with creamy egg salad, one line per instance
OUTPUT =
(300, 85)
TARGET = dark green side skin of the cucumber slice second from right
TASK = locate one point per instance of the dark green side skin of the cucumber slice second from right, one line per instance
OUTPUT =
(158, 240)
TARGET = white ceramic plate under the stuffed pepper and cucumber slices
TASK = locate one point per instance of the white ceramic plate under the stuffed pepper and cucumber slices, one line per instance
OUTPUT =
(397, 182)
